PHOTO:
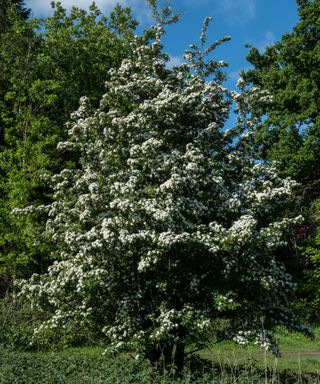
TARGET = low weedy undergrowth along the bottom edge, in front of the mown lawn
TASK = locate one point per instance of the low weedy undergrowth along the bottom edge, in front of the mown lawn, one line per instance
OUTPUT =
(84, 366)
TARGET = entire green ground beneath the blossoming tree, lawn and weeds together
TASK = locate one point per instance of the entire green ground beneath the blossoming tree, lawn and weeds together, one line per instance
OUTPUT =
(225, 364)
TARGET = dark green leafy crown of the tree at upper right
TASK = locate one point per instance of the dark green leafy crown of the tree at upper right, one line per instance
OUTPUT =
(289, 70)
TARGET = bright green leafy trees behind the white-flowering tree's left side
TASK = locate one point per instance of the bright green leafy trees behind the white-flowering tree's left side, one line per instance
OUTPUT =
(46, 65)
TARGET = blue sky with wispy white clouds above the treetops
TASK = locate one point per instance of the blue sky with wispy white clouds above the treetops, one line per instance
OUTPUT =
(255, 22)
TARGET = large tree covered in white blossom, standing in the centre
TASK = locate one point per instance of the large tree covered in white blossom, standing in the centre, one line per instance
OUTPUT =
(167, 231)
